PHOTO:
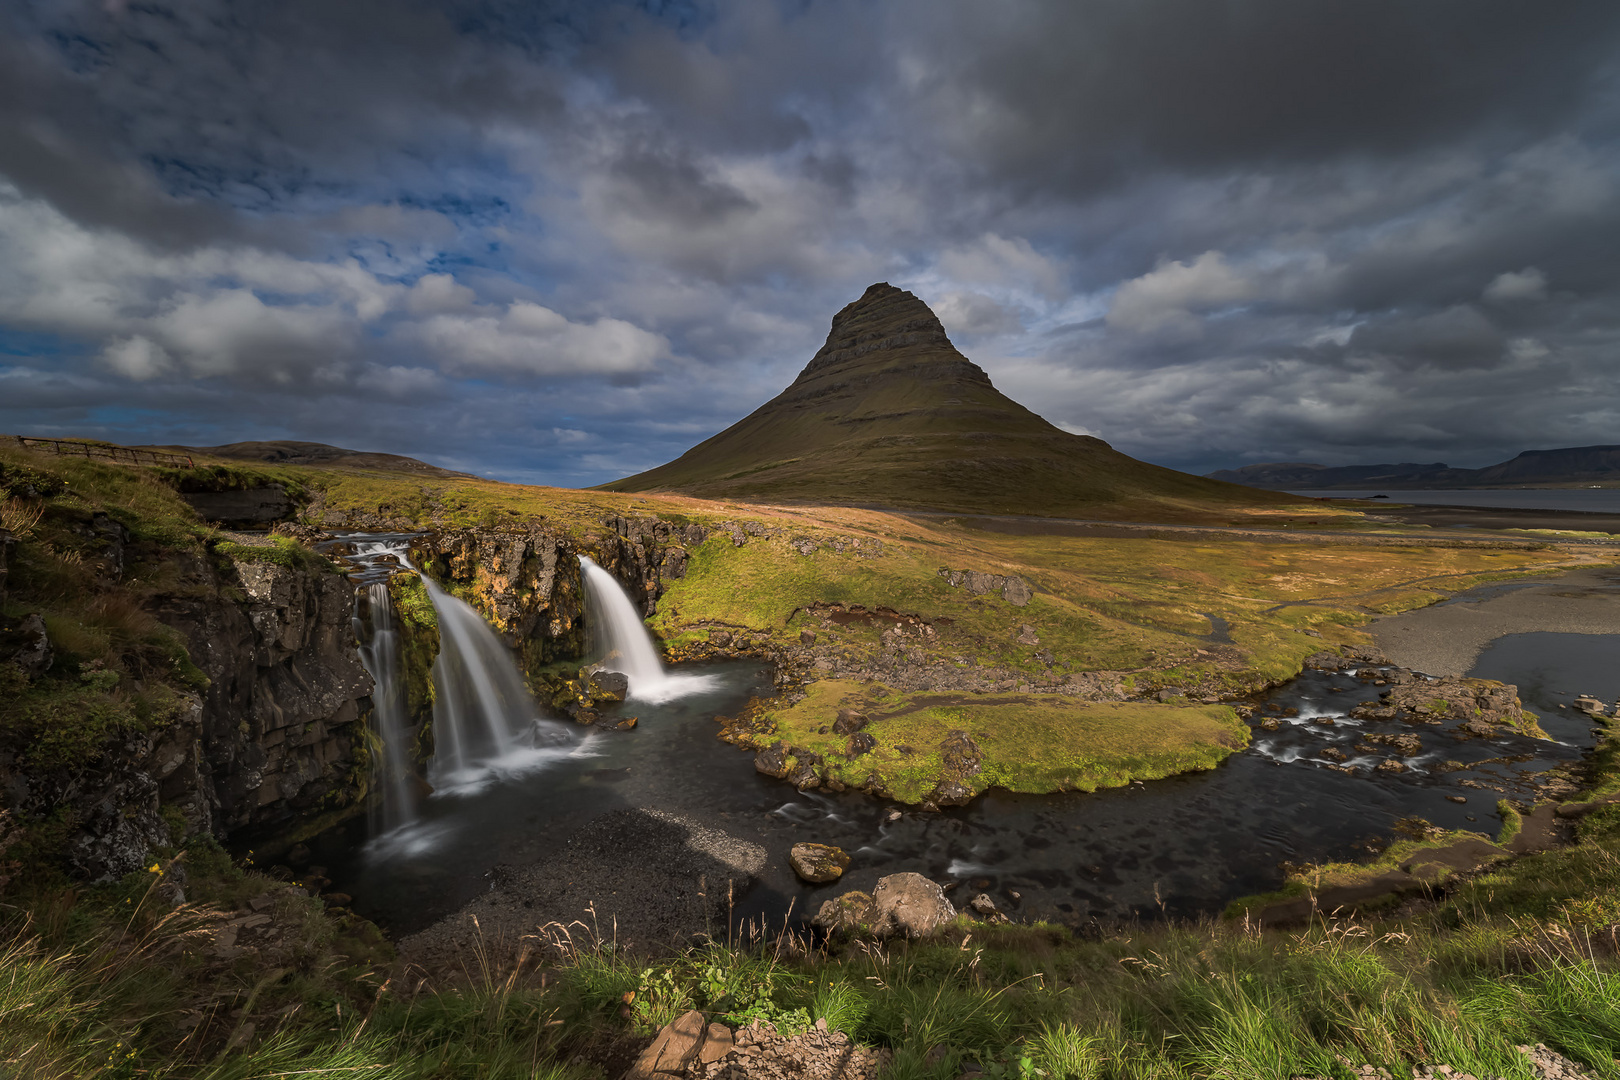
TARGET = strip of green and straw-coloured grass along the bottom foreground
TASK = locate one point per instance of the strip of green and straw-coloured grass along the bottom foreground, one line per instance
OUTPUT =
(1456, 985)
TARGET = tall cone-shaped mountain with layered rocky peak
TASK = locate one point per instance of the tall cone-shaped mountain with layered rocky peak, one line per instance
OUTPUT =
(890, 414)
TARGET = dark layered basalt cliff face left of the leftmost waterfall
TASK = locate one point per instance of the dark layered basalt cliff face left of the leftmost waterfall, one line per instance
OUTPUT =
(276, 734)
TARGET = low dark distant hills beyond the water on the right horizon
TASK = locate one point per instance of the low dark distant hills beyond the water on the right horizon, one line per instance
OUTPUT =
(1571, 466)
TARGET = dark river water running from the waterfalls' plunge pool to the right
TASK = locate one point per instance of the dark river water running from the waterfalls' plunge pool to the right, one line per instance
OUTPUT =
(1185, 846)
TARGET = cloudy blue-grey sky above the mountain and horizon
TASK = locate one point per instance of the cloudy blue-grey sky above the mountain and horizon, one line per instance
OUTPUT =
(563, 242)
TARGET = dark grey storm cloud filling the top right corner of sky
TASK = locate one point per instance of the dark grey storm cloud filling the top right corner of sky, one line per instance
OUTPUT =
(1073, 91)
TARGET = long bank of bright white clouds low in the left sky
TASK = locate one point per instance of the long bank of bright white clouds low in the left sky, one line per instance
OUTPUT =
(260, 317)
